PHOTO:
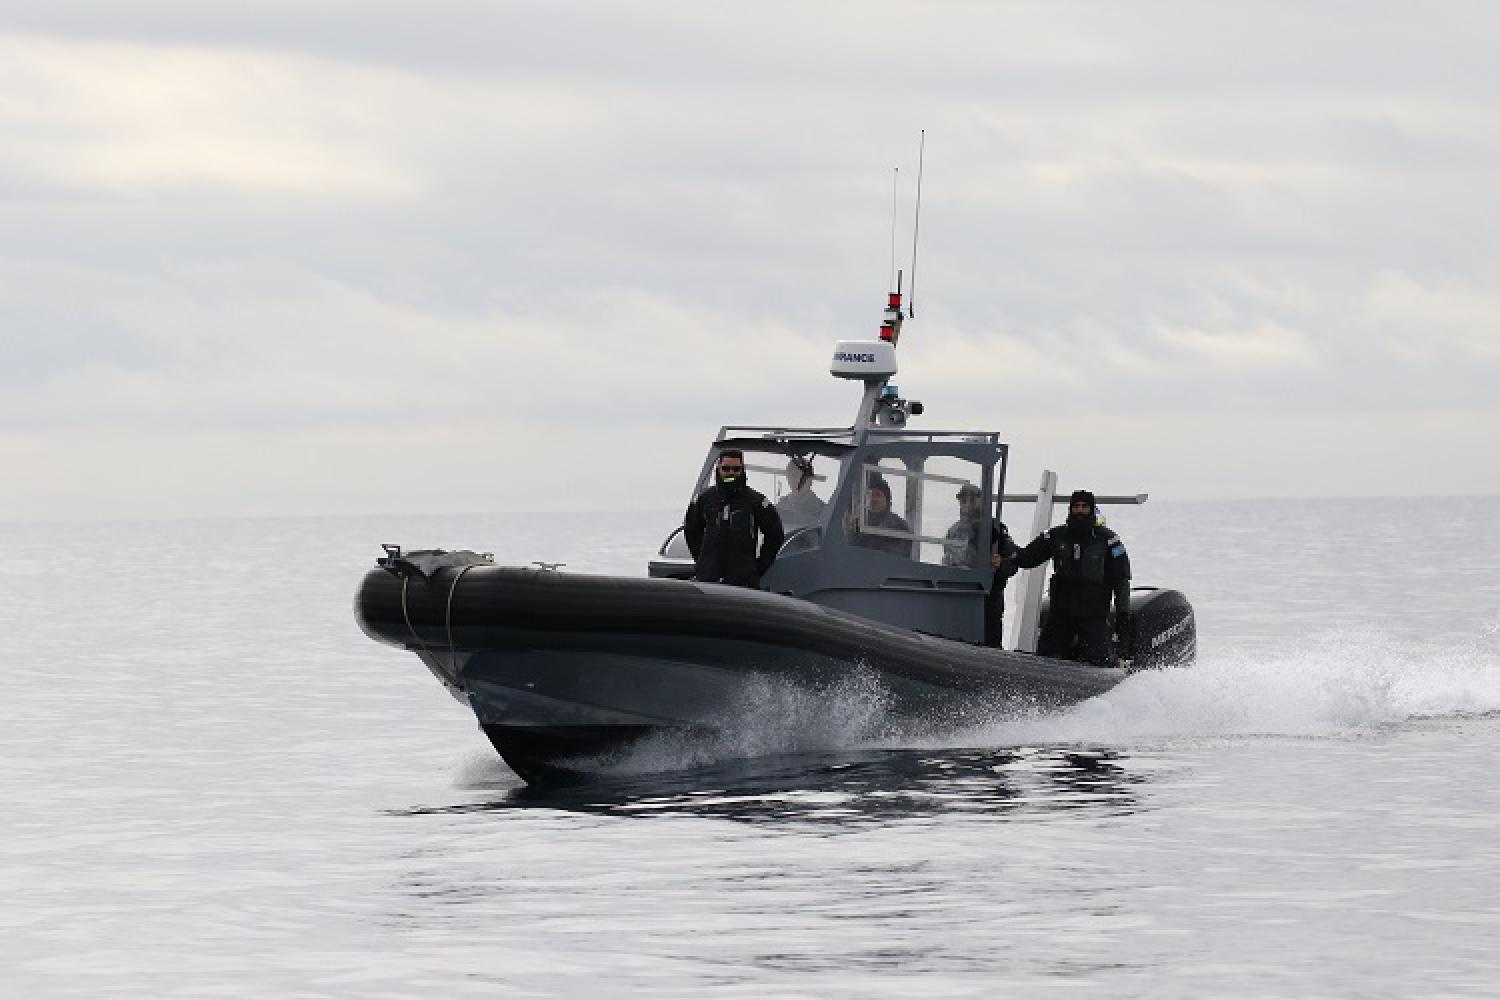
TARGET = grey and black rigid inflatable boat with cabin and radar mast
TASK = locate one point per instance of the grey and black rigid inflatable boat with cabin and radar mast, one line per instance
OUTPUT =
(565, 669)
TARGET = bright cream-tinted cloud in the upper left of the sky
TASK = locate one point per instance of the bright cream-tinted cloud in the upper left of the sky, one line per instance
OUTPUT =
(131, 121)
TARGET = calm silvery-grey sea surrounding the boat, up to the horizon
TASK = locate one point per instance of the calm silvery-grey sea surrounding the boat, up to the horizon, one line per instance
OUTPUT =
(217, 786)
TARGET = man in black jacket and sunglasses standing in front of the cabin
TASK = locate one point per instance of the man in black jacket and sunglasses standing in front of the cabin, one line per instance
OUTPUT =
(722, 525)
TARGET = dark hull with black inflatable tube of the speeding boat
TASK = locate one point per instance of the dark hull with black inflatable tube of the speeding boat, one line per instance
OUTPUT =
(563, 669)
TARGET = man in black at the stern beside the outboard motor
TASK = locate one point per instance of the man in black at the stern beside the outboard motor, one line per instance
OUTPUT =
(1088, 567)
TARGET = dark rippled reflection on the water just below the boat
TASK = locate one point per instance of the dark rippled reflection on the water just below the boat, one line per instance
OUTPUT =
(863, 789)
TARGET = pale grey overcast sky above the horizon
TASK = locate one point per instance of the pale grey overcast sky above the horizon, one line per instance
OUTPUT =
(473, 257)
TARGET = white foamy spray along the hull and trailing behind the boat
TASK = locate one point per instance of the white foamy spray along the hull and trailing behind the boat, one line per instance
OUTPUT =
(1334, 684)
